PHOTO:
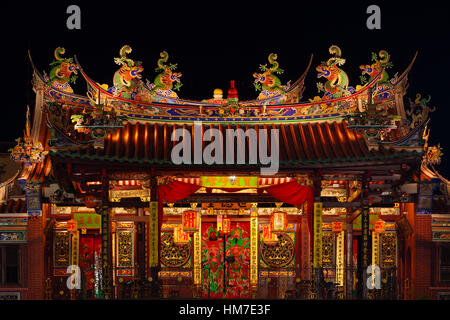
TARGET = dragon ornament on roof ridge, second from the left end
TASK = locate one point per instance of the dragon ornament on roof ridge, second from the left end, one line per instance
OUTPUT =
(128, 78)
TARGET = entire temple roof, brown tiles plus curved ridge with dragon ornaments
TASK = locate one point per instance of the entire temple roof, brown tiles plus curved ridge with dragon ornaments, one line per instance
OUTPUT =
(136, 124)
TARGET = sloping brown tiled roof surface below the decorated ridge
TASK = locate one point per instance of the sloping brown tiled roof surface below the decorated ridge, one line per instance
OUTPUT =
(301, 145)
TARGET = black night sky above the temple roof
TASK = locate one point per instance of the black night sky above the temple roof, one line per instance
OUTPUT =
(215, 42)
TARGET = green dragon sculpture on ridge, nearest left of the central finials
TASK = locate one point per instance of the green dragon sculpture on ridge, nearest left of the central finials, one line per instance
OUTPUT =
(163, 84)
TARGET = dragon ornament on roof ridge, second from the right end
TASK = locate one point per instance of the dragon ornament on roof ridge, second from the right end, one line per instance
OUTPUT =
(337, 84)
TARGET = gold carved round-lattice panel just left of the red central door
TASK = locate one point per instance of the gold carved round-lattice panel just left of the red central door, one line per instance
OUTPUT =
(173, 255)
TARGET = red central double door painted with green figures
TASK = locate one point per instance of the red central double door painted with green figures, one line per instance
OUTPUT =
(226, 261)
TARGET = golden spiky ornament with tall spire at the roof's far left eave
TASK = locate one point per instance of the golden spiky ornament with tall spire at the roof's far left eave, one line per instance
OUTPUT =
(28, 151)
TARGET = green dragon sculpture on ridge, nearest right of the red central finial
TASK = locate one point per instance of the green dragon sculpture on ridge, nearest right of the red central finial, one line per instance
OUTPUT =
(267, 82)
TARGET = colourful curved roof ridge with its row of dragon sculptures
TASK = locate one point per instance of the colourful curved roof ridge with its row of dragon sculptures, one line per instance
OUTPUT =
(276, 103)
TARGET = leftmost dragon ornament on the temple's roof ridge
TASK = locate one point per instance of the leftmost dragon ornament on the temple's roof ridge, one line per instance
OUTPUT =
(61, 73)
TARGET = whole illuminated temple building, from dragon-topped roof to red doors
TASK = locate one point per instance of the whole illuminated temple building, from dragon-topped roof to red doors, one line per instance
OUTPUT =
(355, 186)
